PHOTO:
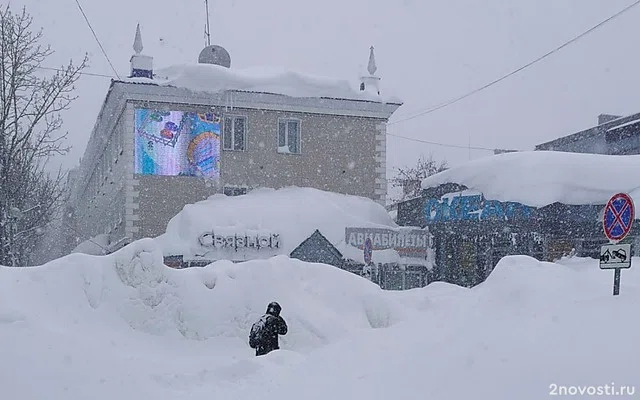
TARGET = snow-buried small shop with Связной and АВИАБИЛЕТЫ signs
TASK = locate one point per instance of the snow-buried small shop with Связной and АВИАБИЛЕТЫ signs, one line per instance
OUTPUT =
(349, 232)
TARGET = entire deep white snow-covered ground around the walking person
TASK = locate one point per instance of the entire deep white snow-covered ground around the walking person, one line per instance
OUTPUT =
(124, 326)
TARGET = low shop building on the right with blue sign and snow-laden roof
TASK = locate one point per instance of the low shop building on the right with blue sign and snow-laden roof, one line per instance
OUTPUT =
(544, 204)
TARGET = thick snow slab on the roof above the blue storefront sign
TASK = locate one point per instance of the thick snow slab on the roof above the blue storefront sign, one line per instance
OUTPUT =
(540, 178)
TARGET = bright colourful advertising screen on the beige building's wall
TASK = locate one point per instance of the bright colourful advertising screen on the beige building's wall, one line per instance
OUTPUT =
(177, 143)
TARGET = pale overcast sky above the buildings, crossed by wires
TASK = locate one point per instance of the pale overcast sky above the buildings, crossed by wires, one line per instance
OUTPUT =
(427, 52)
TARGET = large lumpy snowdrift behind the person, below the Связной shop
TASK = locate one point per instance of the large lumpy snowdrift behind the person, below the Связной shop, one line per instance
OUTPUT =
(132, 288)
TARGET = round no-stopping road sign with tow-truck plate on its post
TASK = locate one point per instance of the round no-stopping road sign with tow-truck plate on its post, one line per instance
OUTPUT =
(617, 219)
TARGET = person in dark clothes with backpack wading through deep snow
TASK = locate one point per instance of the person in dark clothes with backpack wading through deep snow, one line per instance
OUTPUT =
(264, 333)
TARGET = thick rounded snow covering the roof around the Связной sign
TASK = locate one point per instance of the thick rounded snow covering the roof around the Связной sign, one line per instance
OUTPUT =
(292, 213)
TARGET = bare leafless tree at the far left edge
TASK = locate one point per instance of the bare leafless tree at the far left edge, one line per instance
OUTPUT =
(31, 100)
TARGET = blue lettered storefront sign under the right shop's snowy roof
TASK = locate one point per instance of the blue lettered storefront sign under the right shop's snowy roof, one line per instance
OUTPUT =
(473, 208)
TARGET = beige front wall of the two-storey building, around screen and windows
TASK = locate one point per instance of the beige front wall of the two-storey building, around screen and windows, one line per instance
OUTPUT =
(338, 153)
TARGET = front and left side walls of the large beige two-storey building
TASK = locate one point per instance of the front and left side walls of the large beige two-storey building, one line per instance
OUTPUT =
(343, 153)
